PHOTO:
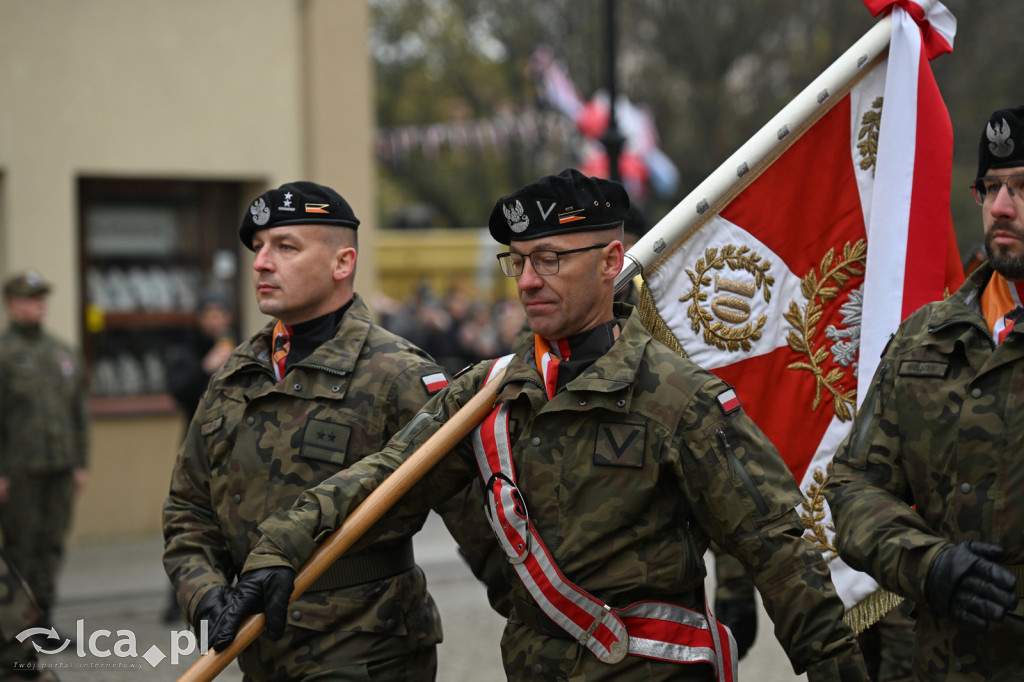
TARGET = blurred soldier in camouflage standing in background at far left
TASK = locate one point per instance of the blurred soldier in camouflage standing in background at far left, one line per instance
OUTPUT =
(45, 428)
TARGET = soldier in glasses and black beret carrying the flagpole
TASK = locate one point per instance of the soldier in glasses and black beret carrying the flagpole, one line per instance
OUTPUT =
(627, 466)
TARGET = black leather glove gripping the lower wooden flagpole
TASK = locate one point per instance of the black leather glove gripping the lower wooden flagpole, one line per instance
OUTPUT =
(263, 591)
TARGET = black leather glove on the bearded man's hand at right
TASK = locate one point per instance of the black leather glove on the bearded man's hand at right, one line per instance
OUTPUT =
(966, 584)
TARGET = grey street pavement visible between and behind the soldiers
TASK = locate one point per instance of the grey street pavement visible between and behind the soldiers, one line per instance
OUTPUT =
(118, 590)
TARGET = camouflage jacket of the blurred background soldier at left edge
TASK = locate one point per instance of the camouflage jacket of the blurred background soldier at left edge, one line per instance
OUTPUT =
(45, 418)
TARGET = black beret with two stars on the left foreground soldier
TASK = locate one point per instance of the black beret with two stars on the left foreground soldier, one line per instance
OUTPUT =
(301, 203)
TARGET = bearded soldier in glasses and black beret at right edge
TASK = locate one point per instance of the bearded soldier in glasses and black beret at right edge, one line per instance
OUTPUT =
(928, 491)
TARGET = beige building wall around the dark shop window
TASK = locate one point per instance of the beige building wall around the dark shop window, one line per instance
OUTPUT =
(255, 92)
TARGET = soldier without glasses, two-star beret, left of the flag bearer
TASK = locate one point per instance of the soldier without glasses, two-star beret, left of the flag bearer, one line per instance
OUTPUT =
(305, 398)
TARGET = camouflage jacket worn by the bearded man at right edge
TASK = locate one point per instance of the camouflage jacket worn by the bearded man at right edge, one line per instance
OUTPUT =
(934, 458)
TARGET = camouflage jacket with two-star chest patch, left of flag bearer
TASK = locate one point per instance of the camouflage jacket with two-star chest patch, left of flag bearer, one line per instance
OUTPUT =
(255, 445)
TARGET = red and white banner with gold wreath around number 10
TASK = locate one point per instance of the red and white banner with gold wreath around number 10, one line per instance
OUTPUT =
(791, 292)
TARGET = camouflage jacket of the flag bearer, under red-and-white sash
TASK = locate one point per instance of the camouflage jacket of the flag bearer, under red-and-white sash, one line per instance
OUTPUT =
(626, 474)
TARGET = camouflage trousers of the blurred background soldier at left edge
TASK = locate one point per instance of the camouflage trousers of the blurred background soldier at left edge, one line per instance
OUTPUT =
(35, 524)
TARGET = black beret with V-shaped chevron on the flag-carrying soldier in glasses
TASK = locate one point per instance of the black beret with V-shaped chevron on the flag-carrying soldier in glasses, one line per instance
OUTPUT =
(570, 202)
